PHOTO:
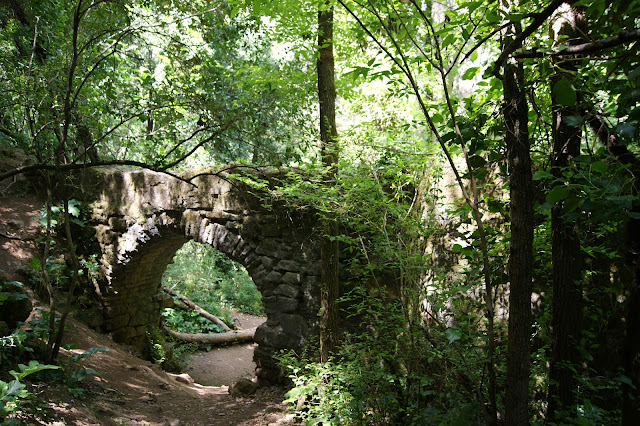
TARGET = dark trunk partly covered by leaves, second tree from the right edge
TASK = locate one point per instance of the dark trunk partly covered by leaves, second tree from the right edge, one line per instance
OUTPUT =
(566, 258)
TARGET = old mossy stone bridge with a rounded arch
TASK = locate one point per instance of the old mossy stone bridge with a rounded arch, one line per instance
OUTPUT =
(142, 218)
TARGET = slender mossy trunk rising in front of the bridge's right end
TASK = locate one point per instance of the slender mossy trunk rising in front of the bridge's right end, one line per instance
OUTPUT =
(329, 152)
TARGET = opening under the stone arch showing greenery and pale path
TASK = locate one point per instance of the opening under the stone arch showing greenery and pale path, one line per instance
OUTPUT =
(224, 288)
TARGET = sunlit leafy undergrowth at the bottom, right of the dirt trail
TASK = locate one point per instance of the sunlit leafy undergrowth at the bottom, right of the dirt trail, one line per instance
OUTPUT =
(388, 374)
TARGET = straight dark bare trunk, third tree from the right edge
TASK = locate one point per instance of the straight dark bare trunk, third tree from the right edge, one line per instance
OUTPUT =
(521, 247)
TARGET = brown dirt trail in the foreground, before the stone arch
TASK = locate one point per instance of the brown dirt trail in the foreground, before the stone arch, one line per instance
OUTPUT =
(131, 391)
